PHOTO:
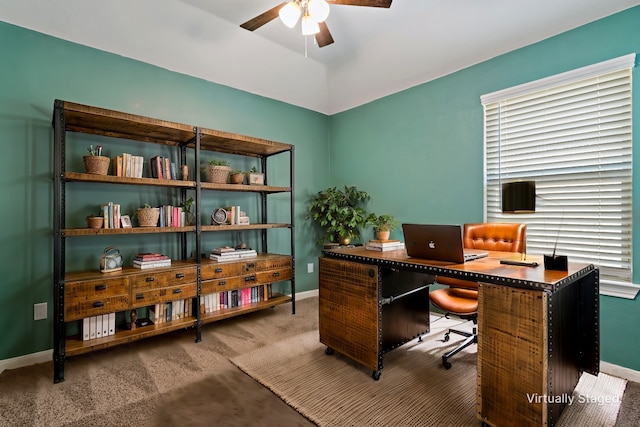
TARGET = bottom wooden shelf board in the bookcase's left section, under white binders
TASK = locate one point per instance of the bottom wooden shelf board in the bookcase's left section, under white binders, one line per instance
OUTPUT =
(75, 346)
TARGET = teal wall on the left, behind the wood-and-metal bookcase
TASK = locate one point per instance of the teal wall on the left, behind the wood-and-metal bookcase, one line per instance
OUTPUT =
(35, 70)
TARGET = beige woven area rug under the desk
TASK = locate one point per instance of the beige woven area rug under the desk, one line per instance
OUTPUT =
(413, 390)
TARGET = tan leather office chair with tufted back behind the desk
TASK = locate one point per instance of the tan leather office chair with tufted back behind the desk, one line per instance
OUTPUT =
(461, 297)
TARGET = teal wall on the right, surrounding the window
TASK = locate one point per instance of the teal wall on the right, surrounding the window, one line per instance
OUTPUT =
(424, 146)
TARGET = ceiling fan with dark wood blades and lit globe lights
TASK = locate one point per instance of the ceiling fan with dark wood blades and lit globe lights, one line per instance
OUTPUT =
(290, 13)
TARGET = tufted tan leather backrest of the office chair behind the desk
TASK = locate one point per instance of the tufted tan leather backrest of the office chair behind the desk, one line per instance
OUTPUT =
(501, 237)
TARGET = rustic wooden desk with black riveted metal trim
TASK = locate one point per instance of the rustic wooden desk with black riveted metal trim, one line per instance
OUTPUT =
(538, 330)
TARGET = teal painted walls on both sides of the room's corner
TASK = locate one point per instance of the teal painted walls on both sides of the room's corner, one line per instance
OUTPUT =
(417, 152)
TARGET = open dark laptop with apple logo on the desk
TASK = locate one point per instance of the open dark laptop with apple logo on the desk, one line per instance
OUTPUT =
(438, 242)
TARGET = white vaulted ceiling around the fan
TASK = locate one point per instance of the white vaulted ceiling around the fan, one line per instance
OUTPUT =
(376, 51)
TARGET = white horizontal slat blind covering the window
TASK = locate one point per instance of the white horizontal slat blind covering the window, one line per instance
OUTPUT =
(571, 134)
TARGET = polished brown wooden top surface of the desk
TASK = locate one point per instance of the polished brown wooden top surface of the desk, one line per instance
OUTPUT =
(484, 269)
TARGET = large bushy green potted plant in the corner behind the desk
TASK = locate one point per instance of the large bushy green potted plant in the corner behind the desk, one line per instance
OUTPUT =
(339, 213)
